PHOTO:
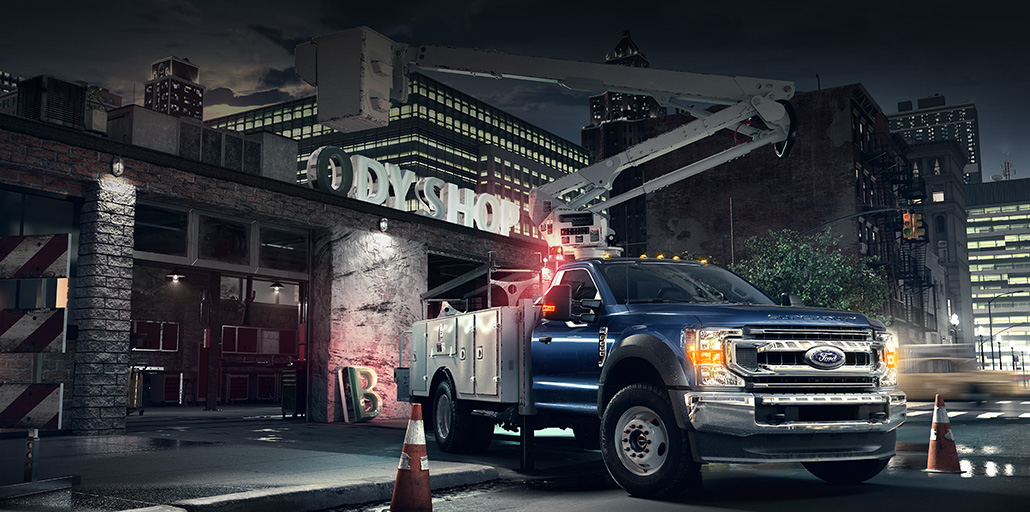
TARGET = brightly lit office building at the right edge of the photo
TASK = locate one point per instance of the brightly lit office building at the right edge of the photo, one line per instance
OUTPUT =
(1000, 263)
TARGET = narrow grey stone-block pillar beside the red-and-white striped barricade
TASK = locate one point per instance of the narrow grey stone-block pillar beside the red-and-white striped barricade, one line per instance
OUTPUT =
(104, 298)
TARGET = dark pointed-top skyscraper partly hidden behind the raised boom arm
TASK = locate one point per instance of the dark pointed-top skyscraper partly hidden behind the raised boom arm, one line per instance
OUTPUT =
(619, 122)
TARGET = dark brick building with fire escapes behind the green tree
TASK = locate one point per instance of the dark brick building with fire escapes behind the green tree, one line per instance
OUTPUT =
(845, 164)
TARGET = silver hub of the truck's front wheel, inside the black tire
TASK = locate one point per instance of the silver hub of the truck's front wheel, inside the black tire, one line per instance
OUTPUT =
(643, 441)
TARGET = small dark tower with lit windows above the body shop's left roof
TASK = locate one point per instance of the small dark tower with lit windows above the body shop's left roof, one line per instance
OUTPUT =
(174, 89)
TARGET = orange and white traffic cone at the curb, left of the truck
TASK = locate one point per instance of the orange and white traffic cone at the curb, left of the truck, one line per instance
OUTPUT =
(411, 491)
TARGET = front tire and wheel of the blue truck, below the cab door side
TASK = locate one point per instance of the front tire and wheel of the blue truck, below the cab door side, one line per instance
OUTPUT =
(643, 449)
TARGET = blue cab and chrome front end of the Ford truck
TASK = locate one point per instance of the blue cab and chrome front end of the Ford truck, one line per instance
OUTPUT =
(745, 380)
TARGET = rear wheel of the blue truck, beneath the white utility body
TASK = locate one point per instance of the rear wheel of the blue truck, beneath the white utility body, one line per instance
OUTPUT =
(456, 429)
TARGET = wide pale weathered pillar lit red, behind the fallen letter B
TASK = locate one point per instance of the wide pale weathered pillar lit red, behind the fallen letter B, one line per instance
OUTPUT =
(366, 292)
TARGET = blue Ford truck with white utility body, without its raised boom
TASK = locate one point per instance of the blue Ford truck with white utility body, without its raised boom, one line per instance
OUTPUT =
(664, 366)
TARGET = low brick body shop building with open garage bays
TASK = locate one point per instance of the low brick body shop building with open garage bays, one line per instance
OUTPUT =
(170, 255)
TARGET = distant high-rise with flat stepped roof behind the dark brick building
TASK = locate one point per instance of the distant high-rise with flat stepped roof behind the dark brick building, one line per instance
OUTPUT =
(934, 120)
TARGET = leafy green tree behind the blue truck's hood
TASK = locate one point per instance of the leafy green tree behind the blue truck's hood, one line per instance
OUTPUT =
(814, 268)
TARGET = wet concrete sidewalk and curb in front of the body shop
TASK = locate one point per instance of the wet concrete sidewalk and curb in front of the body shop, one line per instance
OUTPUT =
(242, 458)
